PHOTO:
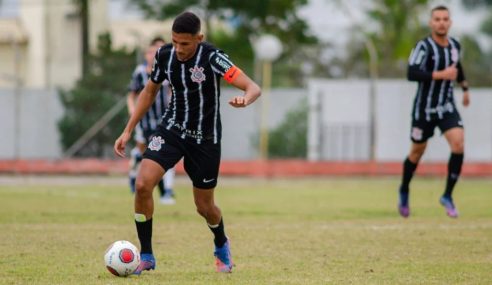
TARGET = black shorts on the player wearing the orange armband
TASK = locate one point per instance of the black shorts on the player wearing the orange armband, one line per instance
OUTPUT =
(201, 161)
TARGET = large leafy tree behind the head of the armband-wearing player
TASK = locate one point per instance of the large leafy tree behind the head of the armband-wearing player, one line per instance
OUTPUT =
(245, 19)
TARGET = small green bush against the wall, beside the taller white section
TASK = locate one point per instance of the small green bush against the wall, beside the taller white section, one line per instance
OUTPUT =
(289, 138)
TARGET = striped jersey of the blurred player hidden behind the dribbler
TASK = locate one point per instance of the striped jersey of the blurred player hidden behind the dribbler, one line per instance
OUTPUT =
(153, 117)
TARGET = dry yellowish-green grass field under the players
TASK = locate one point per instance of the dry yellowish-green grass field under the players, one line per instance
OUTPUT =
(295, 231)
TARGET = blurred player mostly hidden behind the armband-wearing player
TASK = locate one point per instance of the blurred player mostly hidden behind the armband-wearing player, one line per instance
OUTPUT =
(149, 122)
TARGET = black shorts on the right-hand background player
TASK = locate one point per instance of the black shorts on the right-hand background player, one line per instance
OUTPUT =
(422, 129)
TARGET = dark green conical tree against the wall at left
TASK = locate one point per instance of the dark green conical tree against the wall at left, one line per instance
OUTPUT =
(93, 96)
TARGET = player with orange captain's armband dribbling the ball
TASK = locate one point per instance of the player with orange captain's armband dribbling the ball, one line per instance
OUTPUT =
(191, 129)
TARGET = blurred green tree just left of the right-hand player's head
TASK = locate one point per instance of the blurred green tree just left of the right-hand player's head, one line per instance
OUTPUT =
(392, 29)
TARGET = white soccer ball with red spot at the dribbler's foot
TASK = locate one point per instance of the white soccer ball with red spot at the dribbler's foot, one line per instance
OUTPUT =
(122, 258)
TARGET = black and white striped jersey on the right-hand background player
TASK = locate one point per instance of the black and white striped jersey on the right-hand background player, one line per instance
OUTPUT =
(434, 97)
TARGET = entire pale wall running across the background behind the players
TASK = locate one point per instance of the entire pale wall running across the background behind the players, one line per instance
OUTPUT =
(342, 132)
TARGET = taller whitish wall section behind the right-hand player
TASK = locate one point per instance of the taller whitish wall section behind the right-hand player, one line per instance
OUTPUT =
(339, 127)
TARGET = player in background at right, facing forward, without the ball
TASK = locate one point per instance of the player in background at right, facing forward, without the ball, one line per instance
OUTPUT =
(435, 64)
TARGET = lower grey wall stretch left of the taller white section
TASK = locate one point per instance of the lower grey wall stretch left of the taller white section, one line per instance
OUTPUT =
(38, 135)
